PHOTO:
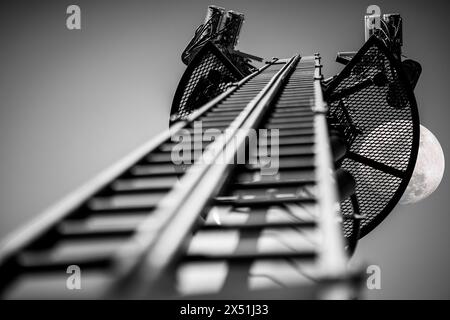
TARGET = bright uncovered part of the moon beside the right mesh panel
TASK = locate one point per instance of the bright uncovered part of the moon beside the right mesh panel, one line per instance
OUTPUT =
(428, 171)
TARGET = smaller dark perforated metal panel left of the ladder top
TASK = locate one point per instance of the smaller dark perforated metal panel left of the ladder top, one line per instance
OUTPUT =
(207, 76)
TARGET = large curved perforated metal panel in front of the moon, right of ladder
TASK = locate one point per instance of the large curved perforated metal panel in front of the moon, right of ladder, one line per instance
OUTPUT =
(373, 105)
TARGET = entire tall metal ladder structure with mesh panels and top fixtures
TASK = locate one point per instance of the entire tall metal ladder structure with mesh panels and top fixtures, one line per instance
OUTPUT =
(151, 228)
